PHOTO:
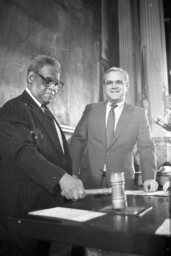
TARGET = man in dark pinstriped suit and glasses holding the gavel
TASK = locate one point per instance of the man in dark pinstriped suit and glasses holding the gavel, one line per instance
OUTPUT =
(36, 171)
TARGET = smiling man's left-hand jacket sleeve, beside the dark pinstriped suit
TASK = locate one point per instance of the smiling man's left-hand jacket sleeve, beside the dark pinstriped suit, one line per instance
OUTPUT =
(78, 141)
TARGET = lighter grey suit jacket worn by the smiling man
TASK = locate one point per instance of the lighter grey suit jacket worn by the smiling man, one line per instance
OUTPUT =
(89, 141)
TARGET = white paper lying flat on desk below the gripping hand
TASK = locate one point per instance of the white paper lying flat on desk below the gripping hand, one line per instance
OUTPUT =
(68, 214)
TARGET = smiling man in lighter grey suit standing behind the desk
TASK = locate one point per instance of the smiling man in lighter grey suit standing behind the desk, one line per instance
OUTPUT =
(95, 156)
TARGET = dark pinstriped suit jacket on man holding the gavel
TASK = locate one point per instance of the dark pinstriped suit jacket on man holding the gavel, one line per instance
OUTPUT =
(32, 161)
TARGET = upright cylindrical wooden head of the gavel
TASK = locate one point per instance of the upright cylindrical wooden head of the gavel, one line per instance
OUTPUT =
(117, 181)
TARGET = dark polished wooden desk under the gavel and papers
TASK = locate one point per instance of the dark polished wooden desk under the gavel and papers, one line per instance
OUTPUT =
(113, 232)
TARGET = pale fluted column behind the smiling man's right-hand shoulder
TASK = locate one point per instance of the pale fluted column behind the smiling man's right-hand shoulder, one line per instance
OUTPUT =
(143, 54)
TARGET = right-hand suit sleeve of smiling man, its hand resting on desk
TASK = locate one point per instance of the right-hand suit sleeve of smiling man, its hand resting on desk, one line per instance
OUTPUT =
(146, 149)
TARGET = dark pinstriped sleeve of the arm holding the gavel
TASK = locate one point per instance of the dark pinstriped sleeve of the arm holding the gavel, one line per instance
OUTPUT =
(18, 145)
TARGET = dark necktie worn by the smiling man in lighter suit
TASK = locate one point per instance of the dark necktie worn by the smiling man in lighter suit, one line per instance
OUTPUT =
(110, 125)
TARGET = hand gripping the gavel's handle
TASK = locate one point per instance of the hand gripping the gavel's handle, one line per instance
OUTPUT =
(71, 187)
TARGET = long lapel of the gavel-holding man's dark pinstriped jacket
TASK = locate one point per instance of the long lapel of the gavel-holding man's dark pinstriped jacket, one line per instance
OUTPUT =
(36, 110)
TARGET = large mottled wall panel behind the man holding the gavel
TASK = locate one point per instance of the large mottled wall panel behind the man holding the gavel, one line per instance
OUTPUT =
(68, 30)
